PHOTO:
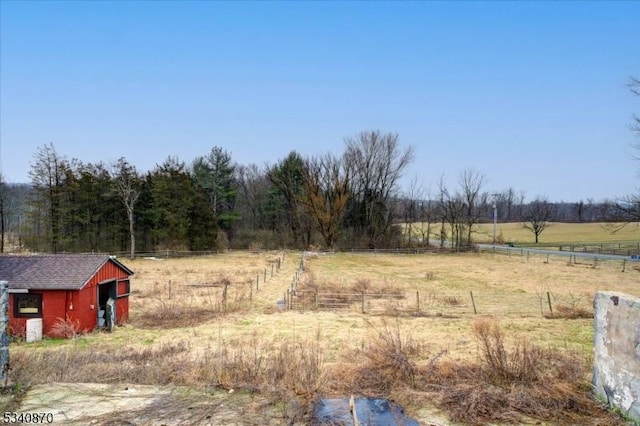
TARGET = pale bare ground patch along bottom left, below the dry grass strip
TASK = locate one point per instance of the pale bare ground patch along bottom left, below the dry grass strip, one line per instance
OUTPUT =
(99, 404)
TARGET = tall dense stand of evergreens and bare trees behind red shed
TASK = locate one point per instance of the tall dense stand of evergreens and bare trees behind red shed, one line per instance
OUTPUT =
(211, 203)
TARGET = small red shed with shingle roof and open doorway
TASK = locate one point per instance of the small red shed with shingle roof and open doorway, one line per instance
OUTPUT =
(86, 290)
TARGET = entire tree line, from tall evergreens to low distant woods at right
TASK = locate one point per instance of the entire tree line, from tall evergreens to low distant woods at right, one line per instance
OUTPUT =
(329, 201)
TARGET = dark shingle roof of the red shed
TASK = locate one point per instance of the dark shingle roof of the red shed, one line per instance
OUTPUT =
(53, 272)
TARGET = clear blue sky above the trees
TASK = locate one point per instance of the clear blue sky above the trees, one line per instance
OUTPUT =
(532, 95)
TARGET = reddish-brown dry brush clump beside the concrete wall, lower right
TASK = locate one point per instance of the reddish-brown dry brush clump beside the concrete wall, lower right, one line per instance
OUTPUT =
(510, 385)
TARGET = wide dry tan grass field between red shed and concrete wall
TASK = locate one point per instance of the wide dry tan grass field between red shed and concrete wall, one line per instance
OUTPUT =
(213, 322)
